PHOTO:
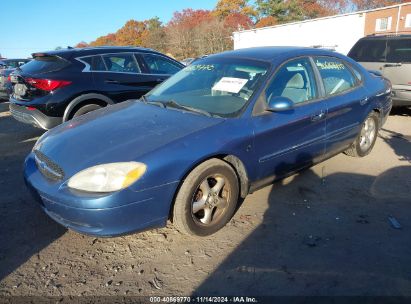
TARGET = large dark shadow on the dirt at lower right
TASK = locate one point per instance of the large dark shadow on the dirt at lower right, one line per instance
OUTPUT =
(324, 236)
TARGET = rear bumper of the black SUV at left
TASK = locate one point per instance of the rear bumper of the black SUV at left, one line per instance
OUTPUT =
(34, 117)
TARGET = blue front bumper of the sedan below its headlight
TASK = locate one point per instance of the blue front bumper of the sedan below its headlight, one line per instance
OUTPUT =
(149, 209)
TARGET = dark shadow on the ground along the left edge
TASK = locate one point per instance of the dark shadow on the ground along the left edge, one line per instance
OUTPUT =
(24, 229)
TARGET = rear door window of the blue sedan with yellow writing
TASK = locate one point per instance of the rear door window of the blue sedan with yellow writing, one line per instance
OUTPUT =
(336, 76)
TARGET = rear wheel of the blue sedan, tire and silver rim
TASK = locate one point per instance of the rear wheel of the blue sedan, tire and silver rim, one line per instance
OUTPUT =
(365, 141)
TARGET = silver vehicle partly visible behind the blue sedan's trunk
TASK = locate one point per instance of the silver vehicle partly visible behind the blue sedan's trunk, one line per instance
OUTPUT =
(391, 56)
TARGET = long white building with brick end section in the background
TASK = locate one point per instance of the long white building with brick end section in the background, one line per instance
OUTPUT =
(338, 32)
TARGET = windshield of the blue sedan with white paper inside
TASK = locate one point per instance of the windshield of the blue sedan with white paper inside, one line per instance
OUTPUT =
(218, 87)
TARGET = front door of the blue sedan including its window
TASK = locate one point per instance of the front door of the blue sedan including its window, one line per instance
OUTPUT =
(286, 141)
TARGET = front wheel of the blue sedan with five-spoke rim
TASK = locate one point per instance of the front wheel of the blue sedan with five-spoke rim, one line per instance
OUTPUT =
(207, 199)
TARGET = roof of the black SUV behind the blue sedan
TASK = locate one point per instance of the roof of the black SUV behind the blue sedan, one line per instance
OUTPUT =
(76, 52)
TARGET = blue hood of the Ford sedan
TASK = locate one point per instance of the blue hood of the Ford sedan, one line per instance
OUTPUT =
(123, 132)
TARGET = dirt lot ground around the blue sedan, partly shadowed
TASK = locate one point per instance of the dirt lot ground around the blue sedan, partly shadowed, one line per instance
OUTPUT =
(323, 232)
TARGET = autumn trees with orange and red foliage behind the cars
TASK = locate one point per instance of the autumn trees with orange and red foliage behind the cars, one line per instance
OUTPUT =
(193, 33)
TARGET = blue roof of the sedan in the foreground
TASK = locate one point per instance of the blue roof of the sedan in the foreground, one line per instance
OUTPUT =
(275, 53)
